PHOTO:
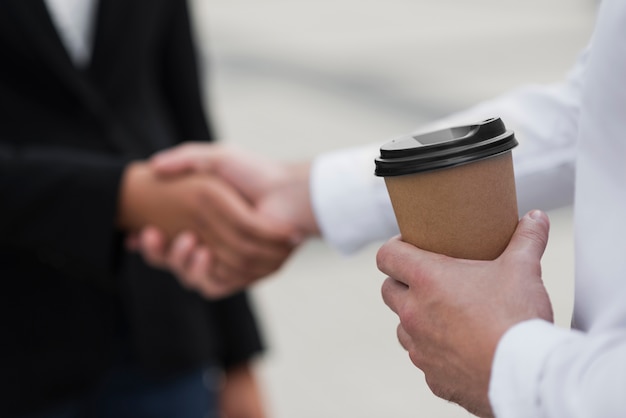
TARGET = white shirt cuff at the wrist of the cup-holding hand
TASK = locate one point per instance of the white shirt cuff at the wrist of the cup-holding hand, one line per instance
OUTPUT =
(518, 365)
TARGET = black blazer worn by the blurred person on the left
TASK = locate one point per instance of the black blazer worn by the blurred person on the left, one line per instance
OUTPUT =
(71, 294)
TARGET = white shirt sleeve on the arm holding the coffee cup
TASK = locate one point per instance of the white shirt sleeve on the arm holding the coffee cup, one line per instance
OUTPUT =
(558, 373)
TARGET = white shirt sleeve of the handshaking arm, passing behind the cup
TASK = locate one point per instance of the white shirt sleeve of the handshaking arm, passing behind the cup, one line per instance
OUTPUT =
(352, 207)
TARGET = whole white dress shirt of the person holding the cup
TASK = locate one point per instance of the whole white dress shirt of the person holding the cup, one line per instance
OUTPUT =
(572, 142)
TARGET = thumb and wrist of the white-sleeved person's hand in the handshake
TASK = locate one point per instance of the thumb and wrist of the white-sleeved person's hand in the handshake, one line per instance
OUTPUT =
(278, 190)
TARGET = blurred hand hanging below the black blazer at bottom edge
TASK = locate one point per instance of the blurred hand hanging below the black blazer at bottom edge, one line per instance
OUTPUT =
(241, 395)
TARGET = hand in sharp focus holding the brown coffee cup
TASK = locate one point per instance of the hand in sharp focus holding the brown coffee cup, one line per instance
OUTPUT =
(453, 312)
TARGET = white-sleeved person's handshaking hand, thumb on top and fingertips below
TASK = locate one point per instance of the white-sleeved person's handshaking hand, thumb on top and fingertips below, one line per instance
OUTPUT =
(277, 190)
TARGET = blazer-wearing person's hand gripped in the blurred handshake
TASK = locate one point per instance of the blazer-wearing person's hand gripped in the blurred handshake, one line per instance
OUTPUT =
(245, 244)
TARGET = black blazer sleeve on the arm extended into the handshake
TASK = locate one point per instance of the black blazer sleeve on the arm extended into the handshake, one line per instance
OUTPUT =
(57, 204)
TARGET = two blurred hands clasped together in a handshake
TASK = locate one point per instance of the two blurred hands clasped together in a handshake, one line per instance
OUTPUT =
(217, 217)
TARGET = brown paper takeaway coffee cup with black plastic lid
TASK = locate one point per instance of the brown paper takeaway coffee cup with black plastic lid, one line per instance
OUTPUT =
(453, 190)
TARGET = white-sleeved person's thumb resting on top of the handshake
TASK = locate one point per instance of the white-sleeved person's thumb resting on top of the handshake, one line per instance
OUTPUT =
(190, 157)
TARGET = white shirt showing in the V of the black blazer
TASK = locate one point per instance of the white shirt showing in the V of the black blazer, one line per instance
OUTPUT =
(75, 23)
